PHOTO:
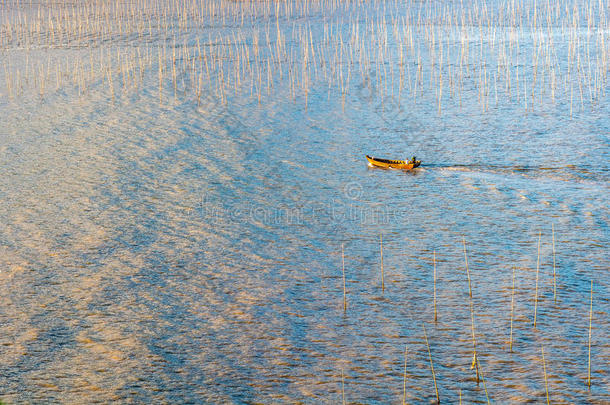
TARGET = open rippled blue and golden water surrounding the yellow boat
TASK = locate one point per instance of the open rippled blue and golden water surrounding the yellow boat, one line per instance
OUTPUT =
(178, 252)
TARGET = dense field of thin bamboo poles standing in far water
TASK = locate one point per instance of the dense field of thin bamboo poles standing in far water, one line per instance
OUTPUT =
(519, 52)
